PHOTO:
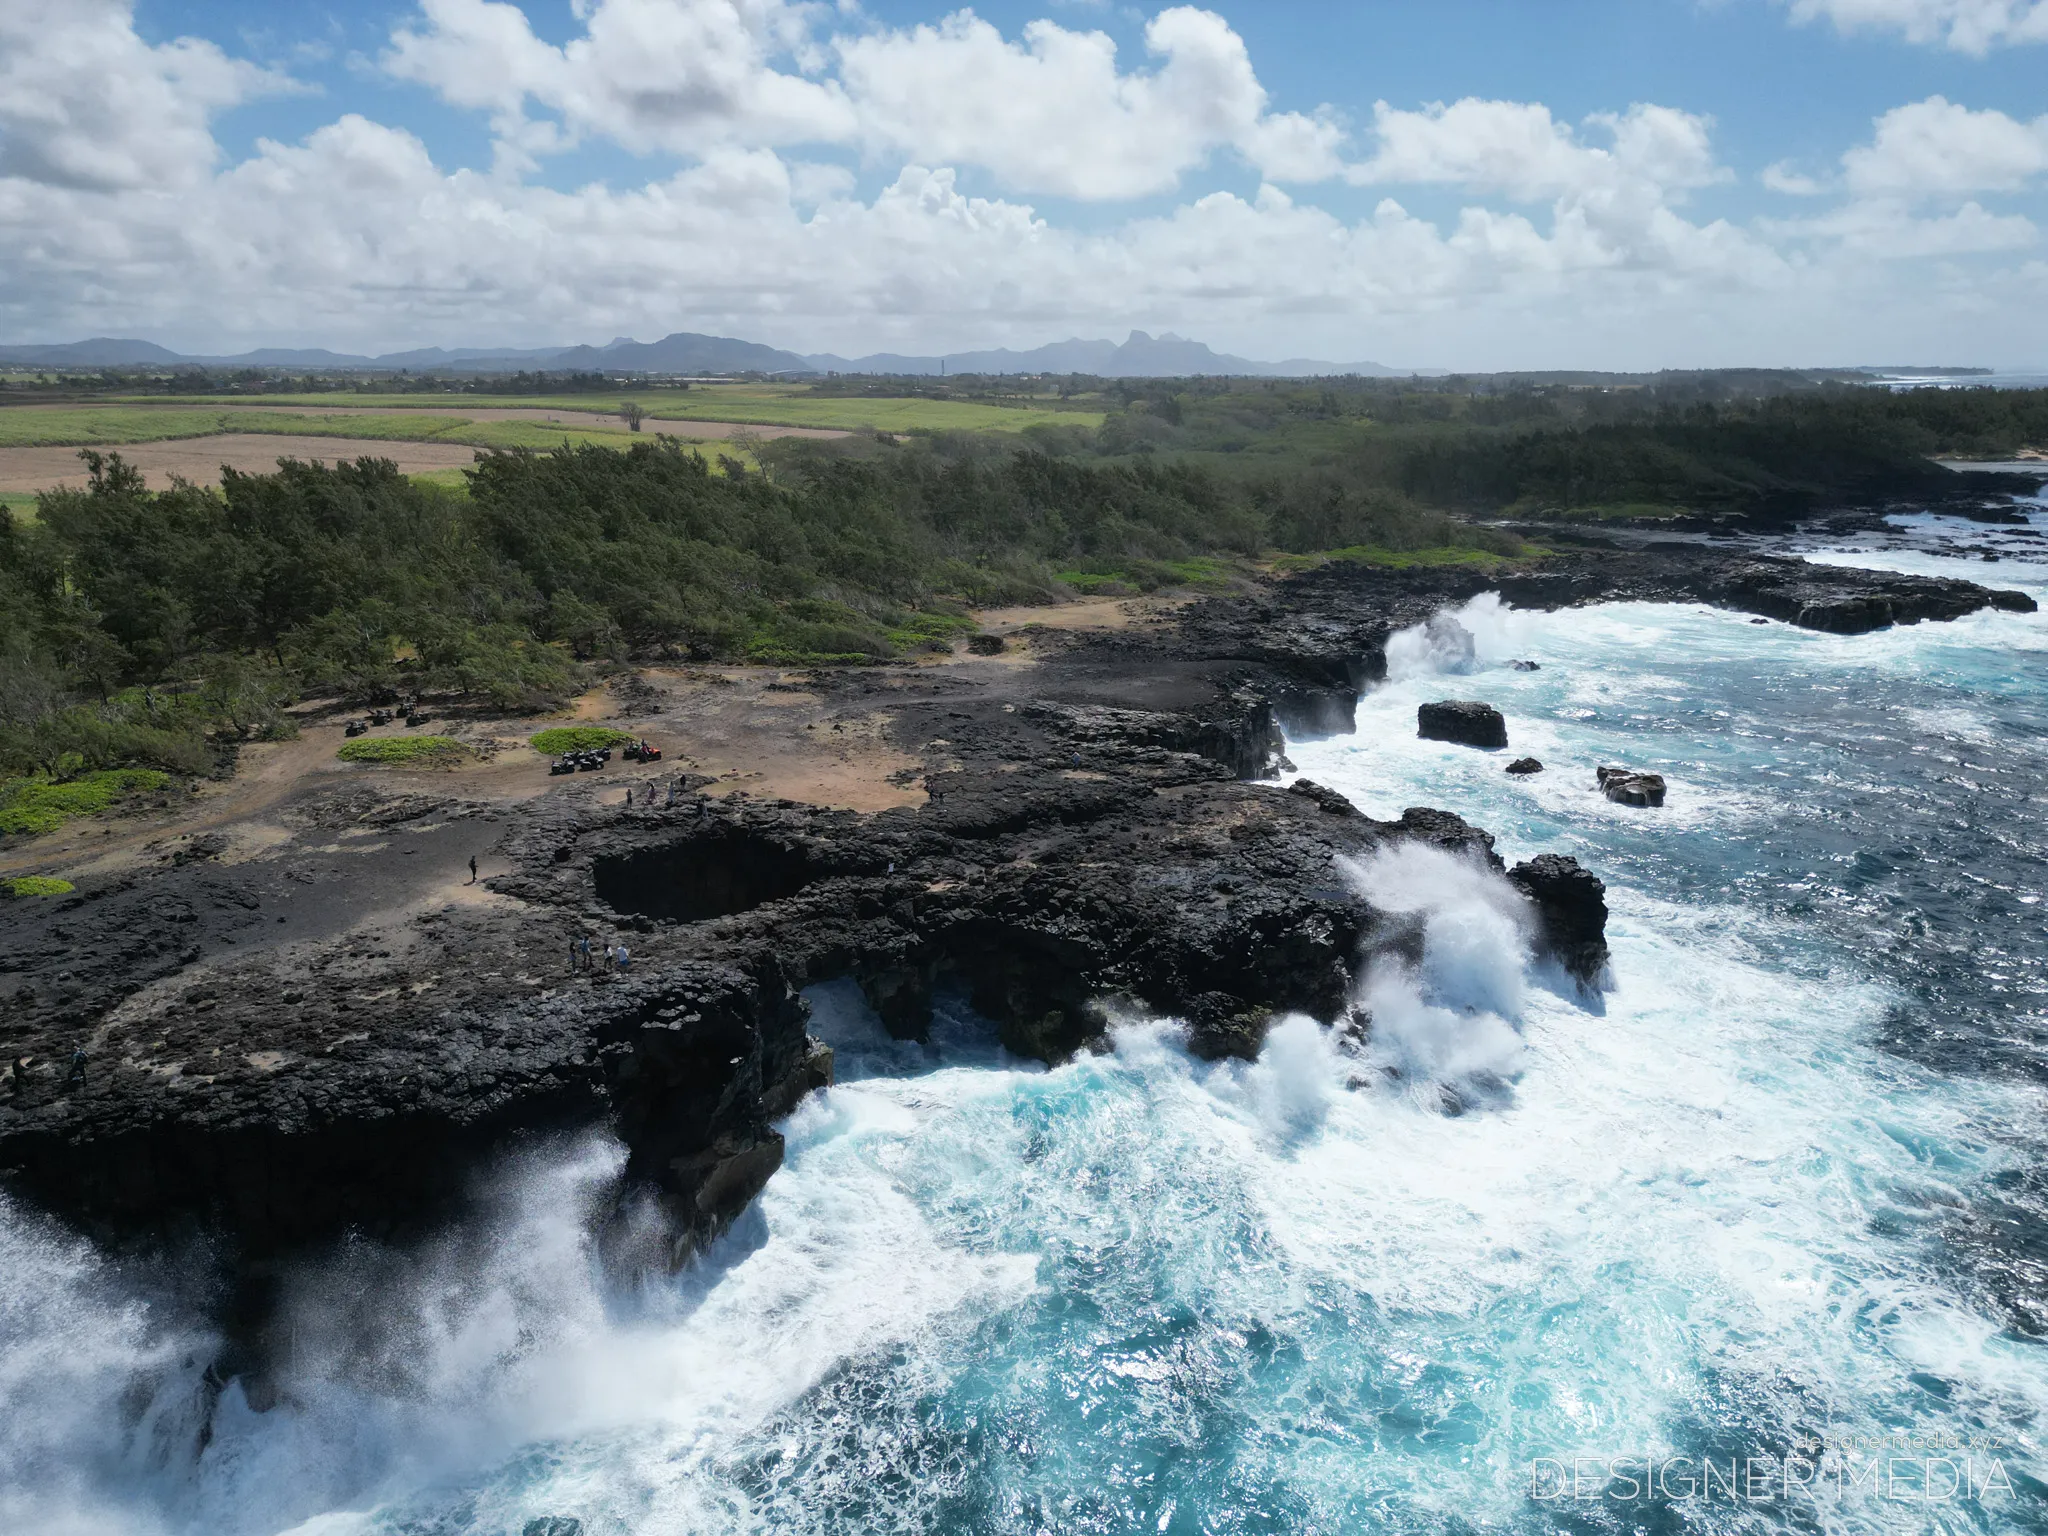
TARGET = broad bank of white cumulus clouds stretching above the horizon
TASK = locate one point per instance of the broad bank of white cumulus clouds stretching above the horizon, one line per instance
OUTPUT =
(1568, 245)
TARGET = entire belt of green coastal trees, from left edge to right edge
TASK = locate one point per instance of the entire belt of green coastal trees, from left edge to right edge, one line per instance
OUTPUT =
(140, 628)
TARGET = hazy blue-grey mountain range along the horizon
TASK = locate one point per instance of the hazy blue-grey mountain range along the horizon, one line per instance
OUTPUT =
(1136, 357)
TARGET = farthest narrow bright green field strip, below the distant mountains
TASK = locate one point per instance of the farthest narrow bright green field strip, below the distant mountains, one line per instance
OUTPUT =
(744, 404)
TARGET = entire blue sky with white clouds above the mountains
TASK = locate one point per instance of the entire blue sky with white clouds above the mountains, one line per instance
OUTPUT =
(1418, 183)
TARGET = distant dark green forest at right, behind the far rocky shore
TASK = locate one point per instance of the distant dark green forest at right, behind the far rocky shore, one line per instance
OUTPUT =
(1580, 452)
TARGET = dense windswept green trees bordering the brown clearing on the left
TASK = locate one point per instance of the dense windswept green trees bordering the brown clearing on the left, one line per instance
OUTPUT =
(138, 626)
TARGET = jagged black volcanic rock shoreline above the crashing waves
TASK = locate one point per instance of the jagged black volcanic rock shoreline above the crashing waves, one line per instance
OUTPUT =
(226, 1052)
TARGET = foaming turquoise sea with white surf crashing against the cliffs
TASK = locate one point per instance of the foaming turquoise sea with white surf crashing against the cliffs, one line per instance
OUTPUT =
(1775, 1189)
